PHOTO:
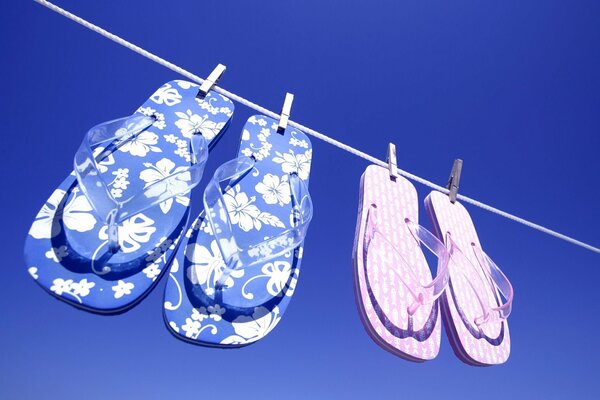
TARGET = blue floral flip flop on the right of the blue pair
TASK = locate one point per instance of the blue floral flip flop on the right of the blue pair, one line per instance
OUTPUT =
(237, 267)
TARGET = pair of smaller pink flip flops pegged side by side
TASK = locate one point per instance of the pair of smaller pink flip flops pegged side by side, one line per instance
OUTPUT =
(399, 299)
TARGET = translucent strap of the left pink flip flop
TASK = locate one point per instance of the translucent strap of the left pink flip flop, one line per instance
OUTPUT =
(421, 293)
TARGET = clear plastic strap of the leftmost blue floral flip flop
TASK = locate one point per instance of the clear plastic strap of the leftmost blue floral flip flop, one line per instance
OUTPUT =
(109, 136)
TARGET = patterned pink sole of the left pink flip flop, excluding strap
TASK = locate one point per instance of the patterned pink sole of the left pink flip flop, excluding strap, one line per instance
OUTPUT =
(381, 297)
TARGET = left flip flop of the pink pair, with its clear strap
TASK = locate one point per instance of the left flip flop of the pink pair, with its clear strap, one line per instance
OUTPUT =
(395, 293)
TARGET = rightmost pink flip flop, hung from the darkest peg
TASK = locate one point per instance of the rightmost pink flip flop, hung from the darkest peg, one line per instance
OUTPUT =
(478, 298)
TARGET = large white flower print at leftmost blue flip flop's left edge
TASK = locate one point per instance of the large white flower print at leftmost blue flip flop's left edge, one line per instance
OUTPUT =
(76, 215)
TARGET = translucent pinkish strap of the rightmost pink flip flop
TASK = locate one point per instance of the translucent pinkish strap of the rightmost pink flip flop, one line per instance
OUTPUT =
(493, 279)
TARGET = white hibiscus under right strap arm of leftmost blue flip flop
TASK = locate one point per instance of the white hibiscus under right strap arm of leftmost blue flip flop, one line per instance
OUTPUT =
(158, 186)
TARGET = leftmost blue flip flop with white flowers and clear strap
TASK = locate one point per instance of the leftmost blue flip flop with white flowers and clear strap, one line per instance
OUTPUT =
(105, 236)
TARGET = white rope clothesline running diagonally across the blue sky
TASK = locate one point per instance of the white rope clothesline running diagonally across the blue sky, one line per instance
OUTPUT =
(305, 129)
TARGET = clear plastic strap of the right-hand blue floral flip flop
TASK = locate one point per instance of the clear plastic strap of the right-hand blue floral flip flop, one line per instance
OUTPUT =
(217, 214)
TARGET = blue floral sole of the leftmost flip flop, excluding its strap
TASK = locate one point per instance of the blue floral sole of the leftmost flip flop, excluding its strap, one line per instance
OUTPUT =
(67, 239)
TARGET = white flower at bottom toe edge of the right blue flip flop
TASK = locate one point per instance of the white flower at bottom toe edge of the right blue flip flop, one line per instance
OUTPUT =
(249, 329)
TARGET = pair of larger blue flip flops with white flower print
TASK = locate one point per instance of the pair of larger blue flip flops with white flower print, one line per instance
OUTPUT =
(113, 228)
